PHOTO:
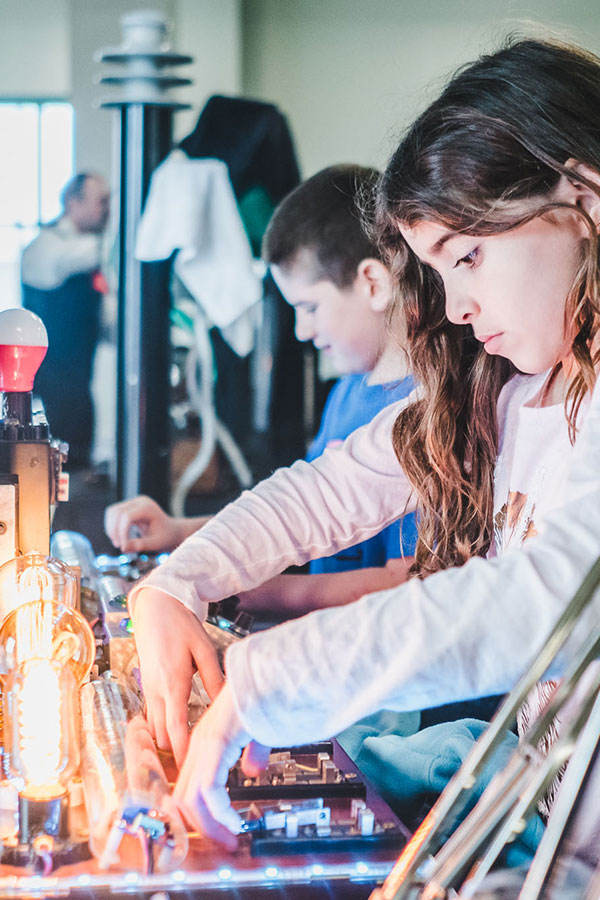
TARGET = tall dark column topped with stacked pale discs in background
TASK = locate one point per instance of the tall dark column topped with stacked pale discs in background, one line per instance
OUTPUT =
(143, 125)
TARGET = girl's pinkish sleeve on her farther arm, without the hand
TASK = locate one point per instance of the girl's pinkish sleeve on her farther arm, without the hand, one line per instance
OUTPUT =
(300, 513)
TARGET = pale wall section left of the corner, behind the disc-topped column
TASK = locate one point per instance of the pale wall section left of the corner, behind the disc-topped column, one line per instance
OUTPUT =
(47, 50)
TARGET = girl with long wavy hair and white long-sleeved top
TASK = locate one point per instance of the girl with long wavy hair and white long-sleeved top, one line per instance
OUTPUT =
(488, 215)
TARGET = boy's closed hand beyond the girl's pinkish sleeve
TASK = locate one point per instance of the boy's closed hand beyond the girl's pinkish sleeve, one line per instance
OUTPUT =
(139, 525)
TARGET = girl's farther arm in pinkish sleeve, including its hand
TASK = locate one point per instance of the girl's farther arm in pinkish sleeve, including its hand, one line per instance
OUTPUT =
(299, 513)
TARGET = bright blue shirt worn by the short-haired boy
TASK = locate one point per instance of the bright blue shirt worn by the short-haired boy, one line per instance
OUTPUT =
(353, 402)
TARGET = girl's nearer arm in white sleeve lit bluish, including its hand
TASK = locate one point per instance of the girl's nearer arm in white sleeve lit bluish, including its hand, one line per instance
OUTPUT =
(461, 633)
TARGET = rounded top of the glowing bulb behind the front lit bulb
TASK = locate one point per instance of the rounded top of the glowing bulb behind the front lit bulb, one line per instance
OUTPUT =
(34, 576)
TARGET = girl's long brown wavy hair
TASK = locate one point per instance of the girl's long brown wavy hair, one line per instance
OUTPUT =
(483, 159)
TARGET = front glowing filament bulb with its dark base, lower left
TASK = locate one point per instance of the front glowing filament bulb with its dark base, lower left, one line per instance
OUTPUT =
(48, 652)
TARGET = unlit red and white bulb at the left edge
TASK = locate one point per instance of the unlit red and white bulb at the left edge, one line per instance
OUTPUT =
(23, 346)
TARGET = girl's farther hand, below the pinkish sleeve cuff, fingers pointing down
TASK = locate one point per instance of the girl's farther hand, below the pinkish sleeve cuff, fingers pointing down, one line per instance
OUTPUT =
(170, 641)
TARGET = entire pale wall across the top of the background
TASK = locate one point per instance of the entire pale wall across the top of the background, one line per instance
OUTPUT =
(349, 74)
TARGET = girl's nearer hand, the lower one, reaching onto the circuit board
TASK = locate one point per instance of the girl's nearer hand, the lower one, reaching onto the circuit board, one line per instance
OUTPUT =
(216, 744)
